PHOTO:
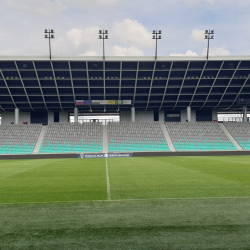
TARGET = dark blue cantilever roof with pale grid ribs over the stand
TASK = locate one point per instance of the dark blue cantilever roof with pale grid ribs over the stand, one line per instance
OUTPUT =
(169, 83)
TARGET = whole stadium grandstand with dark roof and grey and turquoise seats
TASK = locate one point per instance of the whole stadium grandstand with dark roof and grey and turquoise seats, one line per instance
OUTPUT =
(168, 104)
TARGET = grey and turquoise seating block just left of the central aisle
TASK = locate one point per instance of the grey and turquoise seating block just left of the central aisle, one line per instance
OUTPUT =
(73, 138)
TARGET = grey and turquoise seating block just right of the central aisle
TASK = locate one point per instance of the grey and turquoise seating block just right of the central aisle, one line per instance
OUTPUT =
(136, 136)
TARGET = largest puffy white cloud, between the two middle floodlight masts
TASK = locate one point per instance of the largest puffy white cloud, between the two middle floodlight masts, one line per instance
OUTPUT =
(132, 32)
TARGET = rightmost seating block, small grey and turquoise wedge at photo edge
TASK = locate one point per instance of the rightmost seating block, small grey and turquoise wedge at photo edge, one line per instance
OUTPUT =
(241, 133)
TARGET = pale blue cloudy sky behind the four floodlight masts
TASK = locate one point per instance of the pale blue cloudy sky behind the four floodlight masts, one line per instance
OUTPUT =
(130, 24)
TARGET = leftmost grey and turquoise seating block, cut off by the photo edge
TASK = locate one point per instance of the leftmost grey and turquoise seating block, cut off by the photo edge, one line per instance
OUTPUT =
(18, 139)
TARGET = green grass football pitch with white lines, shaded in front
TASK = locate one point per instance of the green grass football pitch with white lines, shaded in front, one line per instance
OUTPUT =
(126, 203)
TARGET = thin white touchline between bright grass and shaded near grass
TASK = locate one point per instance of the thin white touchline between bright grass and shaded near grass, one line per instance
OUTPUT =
(119, 200)
